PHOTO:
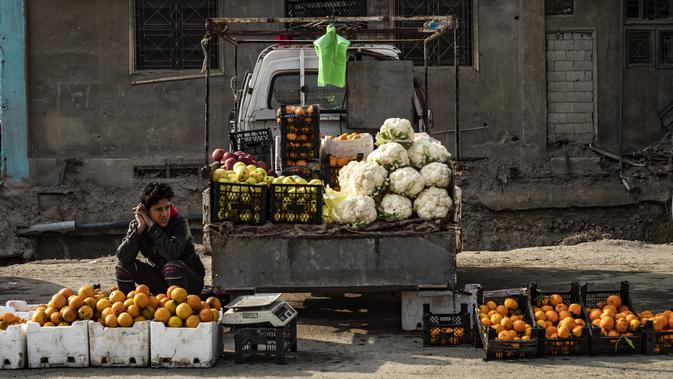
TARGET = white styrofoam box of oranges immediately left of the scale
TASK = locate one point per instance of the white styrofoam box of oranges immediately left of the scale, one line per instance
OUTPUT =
(185, 347)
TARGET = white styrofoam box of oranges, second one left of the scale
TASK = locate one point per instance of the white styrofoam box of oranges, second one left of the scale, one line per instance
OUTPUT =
(119, 347)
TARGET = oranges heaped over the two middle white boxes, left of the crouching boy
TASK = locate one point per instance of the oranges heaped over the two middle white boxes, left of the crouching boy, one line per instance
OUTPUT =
(111, 309)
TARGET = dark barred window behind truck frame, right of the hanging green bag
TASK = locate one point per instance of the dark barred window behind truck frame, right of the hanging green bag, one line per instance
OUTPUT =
(441, 49)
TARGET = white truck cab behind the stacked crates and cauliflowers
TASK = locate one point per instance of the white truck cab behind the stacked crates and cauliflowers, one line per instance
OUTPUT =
(288, 75)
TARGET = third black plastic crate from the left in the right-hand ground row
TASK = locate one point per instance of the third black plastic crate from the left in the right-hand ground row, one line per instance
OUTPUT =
(618, 345)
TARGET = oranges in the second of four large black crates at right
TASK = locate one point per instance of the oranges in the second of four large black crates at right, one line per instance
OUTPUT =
(558, 319)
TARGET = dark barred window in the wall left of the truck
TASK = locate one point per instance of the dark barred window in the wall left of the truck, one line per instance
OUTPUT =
(168, 34)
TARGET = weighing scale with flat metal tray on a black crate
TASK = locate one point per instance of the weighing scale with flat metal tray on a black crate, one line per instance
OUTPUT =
(262, 309)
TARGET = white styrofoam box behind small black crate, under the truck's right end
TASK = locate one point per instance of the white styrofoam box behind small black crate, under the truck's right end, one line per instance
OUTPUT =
(445, 301)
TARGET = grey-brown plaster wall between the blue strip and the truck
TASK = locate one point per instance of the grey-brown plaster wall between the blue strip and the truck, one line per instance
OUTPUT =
(83, 104)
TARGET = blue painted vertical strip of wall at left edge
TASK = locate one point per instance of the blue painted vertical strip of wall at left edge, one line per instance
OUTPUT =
(13, 100)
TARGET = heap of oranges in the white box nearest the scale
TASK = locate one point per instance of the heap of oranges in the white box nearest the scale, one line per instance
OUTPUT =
(178, 309)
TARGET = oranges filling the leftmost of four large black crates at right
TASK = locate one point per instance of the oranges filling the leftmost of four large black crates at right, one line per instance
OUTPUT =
(506, 319)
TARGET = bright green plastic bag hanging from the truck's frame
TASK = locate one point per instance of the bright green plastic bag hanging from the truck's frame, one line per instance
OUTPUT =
(332, 50)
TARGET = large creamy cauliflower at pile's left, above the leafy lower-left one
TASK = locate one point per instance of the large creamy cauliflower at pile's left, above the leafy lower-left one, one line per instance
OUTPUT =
(362, 178)
